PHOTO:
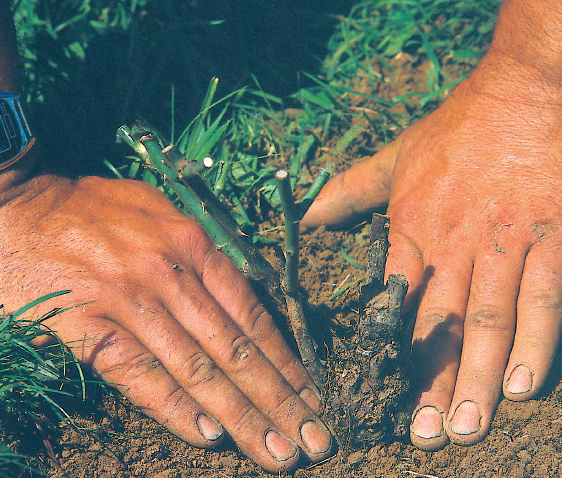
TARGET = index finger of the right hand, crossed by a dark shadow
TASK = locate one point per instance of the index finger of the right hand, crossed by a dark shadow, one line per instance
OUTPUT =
(437, 343)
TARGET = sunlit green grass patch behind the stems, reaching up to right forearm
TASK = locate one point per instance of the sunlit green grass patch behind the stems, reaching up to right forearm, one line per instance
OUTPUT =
(250, 133)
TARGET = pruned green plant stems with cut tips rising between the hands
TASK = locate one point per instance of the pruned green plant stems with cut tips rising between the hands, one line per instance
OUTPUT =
(182, 177)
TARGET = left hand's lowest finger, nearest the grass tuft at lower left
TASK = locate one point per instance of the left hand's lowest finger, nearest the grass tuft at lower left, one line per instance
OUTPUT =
(119, 359)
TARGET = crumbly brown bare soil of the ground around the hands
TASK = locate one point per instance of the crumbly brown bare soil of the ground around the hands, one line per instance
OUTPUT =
(112, 439)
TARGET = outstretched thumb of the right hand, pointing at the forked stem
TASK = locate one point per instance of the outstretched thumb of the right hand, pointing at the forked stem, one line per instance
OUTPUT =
(355, 192)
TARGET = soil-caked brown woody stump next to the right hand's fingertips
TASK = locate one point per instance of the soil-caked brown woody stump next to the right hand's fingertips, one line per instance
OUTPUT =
(367, 398)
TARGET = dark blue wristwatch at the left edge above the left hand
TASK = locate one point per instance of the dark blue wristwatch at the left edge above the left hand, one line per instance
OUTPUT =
(16, 137)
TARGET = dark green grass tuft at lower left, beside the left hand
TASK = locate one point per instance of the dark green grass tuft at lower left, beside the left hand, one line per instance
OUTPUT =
(31, 377)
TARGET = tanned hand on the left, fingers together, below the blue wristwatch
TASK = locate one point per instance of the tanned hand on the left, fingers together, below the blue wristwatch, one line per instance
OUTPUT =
(159, 311)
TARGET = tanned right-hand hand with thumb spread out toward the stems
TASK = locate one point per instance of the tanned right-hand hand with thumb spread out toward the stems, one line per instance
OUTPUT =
(476, 227)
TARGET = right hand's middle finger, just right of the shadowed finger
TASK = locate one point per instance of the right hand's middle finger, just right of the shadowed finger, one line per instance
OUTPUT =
(488, 335)
